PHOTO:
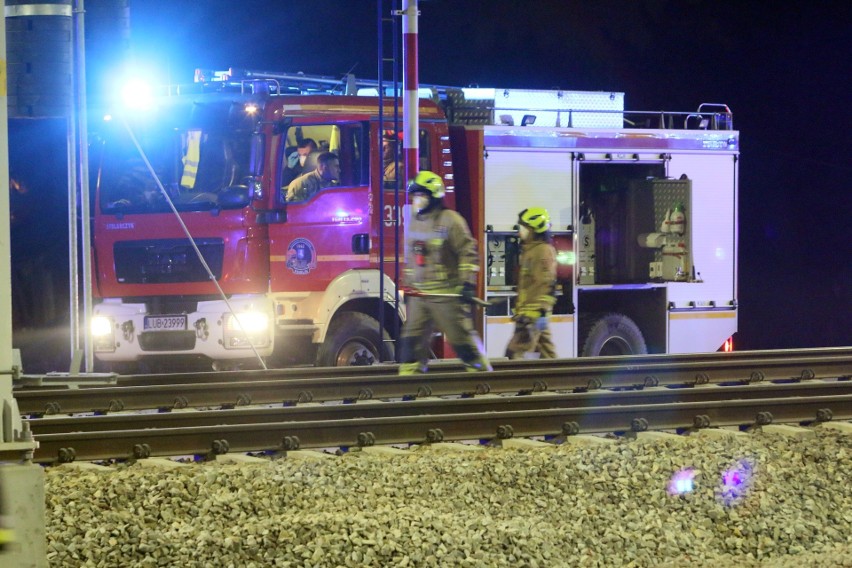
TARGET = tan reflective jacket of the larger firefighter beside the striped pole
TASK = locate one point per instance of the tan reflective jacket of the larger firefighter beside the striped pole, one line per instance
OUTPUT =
(440, 252)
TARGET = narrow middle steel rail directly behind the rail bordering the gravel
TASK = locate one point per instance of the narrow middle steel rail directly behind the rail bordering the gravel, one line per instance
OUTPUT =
(434, 406)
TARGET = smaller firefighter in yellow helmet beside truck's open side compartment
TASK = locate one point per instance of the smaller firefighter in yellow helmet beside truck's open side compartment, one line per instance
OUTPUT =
(536, 287)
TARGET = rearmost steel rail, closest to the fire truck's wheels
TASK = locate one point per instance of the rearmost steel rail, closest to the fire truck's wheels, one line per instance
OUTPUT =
(569, 374)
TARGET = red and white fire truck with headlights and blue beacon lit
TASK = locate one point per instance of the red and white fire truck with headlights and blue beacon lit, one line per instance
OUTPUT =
(197, 253)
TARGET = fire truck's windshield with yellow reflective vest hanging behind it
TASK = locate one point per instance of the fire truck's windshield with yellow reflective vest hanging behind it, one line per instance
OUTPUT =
(195, 166)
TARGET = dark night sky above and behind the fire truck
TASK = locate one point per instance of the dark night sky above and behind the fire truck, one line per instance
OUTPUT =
(782, 67)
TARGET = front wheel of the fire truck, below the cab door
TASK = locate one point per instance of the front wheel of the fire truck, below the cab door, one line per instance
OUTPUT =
(353, 339)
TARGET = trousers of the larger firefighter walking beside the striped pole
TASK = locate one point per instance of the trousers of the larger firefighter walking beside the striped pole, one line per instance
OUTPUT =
(453, 318)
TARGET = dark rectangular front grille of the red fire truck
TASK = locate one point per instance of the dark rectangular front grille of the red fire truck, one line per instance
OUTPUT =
(166, 261)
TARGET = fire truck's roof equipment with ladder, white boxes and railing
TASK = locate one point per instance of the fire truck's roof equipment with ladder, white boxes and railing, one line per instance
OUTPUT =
(486, 106)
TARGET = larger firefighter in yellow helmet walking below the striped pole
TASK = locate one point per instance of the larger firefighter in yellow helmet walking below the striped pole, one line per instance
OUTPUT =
(441, 268)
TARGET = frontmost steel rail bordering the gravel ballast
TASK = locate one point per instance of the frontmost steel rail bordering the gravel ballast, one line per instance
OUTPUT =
(346, 433)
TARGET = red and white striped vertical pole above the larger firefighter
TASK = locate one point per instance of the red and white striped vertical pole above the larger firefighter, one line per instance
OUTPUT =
(410, 103)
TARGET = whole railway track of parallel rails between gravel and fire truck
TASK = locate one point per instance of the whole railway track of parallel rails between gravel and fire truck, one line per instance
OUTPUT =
(343, 409)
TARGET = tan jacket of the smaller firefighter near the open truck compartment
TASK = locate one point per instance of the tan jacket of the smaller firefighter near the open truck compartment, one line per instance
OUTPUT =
(537, 279)
